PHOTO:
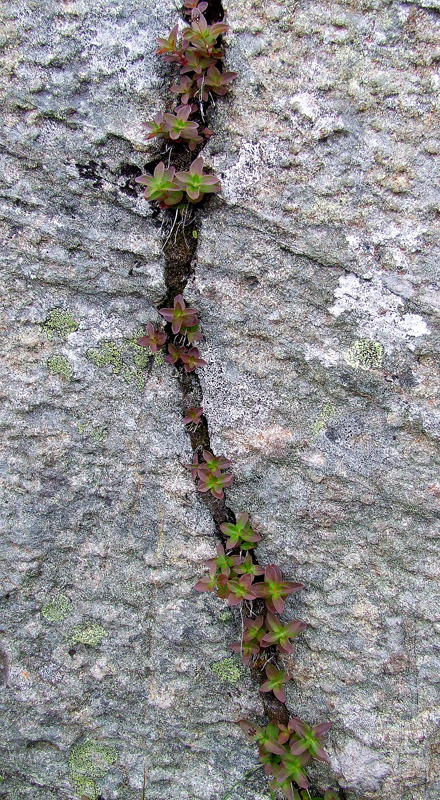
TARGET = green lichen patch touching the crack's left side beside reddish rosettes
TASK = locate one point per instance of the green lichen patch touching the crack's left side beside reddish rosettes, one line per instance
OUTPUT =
(127, 360)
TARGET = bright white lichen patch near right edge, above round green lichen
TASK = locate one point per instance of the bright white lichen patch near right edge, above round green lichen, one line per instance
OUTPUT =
(379, 311)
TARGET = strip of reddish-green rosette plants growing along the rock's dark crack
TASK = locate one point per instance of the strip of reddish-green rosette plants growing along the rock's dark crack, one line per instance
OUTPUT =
(286, 748)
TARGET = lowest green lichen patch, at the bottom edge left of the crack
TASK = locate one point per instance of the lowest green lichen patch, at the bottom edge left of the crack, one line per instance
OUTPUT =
(89, 762)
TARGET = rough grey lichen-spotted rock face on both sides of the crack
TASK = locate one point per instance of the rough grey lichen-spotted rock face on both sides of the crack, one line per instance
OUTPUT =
(317, 283)
